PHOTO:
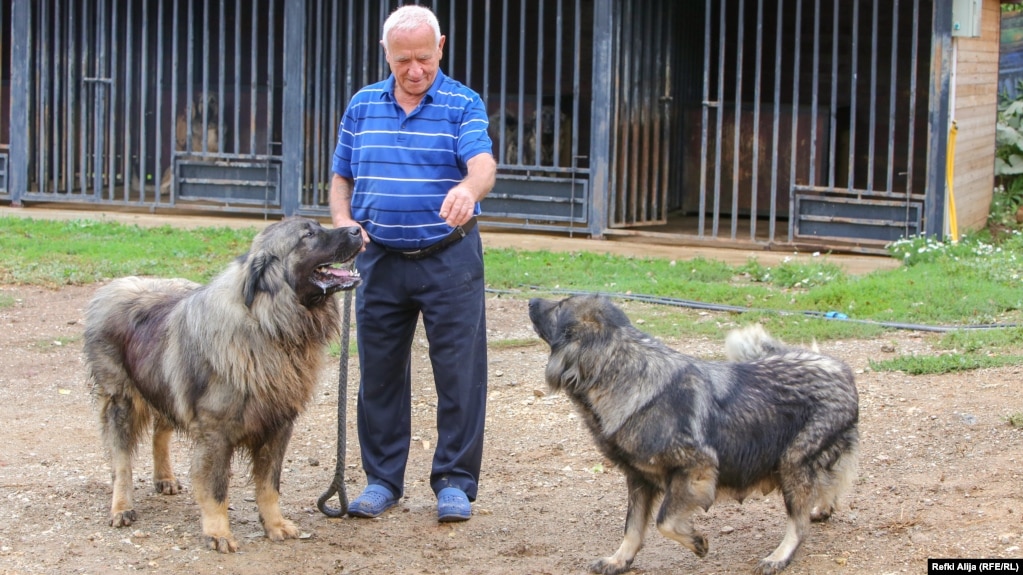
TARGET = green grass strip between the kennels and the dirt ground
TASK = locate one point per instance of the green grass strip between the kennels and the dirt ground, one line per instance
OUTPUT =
(973, 283)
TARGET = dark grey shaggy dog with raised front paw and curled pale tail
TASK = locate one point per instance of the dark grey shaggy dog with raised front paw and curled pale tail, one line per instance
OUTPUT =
(692, 430)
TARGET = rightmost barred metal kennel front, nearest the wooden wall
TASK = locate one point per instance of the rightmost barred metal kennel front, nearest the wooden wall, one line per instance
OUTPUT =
(813, 123)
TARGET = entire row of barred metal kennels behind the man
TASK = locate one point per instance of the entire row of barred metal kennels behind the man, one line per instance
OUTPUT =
(763, 121)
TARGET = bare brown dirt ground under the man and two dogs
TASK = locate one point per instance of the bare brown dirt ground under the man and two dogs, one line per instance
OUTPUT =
(942, 474)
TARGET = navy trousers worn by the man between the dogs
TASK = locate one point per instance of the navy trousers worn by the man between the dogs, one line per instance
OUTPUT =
(448, 289)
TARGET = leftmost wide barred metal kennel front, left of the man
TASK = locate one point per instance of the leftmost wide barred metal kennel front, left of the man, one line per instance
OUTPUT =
(165, 103)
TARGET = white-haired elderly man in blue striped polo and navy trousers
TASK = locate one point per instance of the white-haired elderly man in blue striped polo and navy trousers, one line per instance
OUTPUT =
(412, 164)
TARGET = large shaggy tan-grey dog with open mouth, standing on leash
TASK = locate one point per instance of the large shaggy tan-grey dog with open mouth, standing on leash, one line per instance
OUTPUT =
(232, 365)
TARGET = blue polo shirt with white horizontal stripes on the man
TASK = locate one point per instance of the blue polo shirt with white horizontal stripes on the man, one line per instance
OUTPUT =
(404, 166)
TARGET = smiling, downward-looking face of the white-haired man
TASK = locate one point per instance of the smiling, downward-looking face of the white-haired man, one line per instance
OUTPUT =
(414, 58)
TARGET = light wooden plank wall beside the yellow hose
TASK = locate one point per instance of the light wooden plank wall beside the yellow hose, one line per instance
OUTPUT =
(975, 112)
